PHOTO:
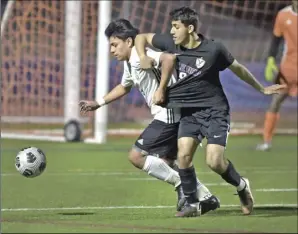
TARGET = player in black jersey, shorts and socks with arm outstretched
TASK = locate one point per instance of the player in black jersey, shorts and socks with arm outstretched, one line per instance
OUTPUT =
(199, 94)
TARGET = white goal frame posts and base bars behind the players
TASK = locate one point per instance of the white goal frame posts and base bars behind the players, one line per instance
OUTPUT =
(72, 73)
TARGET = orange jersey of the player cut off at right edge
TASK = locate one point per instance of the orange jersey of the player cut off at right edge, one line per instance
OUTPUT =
(286, 26)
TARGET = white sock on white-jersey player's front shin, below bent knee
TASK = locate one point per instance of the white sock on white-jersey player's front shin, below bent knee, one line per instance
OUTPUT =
(159, 169)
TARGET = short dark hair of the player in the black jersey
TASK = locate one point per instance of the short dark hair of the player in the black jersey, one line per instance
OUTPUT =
(186, 15)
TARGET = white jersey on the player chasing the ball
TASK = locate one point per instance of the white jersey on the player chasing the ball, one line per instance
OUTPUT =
(147, 81)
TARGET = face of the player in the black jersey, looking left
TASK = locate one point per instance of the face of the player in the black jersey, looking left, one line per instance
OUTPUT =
(180, 32)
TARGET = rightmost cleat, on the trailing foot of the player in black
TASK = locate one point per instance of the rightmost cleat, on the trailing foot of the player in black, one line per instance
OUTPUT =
(246, 198)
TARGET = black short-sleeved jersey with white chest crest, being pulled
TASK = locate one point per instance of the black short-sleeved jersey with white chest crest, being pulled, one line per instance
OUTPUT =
(197, 70)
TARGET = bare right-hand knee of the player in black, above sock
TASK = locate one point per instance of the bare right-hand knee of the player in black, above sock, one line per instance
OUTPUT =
(215, 158)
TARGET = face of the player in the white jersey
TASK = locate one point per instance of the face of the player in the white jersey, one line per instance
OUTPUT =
(120, 49)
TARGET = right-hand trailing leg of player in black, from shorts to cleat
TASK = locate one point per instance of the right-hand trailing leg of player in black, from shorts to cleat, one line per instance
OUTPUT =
(217, 135)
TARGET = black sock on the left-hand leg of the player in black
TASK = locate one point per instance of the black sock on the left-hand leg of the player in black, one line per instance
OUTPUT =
(189, 184)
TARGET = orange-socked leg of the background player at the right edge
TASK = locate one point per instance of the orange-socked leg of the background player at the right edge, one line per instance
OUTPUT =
(272, 117)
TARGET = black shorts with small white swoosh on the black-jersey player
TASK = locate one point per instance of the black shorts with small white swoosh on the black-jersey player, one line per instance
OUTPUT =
(199, 123)
